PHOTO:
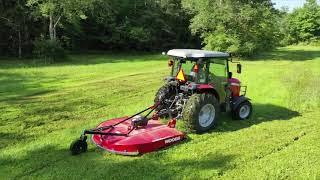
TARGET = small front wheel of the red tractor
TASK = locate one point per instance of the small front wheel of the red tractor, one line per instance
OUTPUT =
(243, 111)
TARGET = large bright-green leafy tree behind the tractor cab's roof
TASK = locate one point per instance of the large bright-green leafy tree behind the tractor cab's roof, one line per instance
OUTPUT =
(241, 27)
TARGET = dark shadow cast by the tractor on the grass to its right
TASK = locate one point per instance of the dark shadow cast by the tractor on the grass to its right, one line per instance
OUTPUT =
(261, 113)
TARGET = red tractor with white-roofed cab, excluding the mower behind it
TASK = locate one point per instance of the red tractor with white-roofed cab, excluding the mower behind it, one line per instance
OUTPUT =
(200, 87)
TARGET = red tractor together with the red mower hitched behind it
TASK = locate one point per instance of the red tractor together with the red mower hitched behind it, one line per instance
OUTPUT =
(199, 88)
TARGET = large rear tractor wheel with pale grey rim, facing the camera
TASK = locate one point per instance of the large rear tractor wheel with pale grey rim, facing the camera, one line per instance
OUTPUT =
(201, 112)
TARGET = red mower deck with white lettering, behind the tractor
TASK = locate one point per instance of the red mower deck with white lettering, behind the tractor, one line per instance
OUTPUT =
(139, 141)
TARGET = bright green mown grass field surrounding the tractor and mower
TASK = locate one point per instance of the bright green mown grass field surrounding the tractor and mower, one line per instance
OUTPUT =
(44, 107)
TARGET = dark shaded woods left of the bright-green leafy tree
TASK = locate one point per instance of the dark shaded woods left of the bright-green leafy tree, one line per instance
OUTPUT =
(93, 24)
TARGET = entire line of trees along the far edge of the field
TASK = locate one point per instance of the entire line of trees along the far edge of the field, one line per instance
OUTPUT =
(48, 28)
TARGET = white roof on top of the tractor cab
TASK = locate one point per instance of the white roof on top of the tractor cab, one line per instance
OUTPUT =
(196, 53)
